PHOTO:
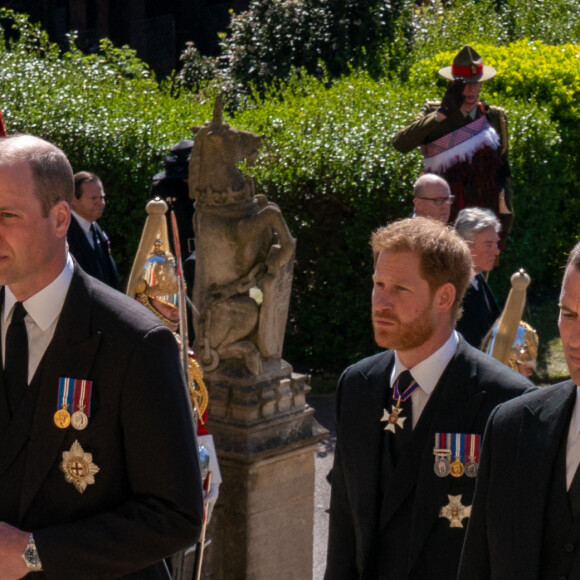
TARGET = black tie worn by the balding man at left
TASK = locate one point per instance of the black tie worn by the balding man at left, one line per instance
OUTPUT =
(16, 357)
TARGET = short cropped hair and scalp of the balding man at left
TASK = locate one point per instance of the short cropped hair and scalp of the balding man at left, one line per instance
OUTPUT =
(51, 171)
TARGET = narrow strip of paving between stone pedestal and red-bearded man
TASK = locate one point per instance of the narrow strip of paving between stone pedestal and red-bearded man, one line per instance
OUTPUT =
(324, 414)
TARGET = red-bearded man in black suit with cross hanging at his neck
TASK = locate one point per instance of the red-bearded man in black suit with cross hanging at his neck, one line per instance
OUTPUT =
(407, 442)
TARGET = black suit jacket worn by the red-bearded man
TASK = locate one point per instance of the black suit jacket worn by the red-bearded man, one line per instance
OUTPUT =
(470, 387)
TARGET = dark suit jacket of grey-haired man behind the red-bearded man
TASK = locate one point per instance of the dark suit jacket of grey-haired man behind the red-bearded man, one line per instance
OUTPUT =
(480, 311)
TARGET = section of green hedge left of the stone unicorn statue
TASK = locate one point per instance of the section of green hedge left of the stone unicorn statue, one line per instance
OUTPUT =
(105, 110)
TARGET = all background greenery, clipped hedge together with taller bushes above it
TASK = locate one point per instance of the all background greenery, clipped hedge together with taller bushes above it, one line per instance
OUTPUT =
(328, 159)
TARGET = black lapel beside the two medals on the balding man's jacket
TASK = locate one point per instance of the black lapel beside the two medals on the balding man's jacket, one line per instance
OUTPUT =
(71, 353)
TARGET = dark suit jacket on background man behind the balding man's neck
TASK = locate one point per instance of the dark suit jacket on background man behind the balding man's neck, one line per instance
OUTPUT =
(87, 257)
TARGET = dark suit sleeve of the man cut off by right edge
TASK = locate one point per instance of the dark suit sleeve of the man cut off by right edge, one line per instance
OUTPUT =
(475, 561)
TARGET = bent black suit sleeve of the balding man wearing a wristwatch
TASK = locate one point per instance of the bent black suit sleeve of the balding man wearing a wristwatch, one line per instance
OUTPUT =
(162, 508)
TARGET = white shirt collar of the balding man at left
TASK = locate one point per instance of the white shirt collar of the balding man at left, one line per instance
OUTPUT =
(44, 306)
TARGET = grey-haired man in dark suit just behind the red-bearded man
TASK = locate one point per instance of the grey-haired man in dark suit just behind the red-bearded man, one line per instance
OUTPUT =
(480, 228)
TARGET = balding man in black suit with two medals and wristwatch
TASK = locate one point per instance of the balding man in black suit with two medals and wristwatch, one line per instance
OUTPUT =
(99, 474)
